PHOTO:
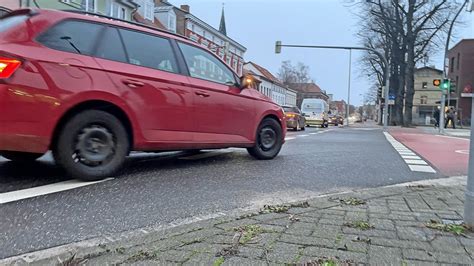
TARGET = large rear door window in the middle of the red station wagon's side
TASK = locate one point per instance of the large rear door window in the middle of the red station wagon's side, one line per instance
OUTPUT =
(149, 51)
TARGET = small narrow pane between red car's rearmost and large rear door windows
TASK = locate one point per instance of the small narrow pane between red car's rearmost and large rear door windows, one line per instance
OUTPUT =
(111, 46)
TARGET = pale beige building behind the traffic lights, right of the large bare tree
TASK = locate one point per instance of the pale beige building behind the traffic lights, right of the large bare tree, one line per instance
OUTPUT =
(427, 96)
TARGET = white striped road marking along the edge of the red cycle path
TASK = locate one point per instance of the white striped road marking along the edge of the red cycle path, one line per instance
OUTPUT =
(414, 162)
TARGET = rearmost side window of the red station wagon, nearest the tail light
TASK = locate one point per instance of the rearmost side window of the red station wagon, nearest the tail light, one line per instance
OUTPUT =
(72, 36)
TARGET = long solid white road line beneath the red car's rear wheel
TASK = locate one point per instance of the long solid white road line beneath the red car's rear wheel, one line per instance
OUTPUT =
(44, 190)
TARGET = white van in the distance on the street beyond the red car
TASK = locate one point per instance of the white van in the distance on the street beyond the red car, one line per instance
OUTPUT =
(315, 111)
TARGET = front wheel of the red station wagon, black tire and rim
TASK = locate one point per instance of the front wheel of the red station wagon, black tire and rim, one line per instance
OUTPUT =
(269, 139)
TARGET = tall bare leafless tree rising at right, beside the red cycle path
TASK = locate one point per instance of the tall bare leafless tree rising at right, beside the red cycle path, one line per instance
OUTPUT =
(407, 31)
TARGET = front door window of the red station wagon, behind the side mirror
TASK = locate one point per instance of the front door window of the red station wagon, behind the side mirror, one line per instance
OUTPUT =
(203, 65)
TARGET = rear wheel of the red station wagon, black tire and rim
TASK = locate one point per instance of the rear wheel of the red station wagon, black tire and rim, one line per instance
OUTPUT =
(92, 145)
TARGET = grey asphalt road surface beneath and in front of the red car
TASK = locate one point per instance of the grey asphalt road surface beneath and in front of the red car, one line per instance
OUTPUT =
(157, 189)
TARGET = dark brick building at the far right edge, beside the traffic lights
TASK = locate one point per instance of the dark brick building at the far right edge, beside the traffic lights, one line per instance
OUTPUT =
(461, 71)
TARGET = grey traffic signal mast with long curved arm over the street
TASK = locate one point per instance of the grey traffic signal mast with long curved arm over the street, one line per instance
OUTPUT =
(279, 45)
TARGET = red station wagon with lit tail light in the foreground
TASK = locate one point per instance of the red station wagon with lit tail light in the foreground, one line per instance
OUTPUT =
(92, 89)
